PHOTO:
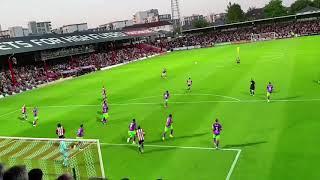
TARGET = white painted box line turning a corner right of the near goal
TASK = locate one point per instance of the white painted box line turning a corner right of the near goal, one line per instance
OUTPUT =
(228, 175)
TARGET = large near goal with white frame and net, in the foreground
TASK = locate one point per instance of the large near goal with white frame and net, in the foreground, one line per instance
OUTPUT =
(83, 156)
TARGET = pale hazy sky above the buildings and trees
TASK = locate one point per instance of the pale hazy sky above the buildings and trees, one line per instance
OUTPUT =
(96, 12)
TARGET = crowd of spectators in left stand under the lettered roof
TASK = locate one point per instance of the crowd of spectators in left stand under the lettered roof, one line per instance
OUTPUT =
(31, 76)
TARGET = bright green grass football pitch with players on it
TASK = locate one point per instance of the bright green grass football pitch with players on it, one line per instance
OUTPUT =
(260, 140)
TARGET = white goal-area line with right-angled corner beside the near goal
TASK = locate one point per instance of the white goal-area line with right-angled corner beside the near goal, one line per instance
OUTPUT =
(233, 165)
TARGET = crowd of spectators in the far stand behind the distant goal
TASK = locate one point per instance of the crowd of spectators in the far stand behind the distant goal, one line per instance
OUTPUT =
(280, 30)
